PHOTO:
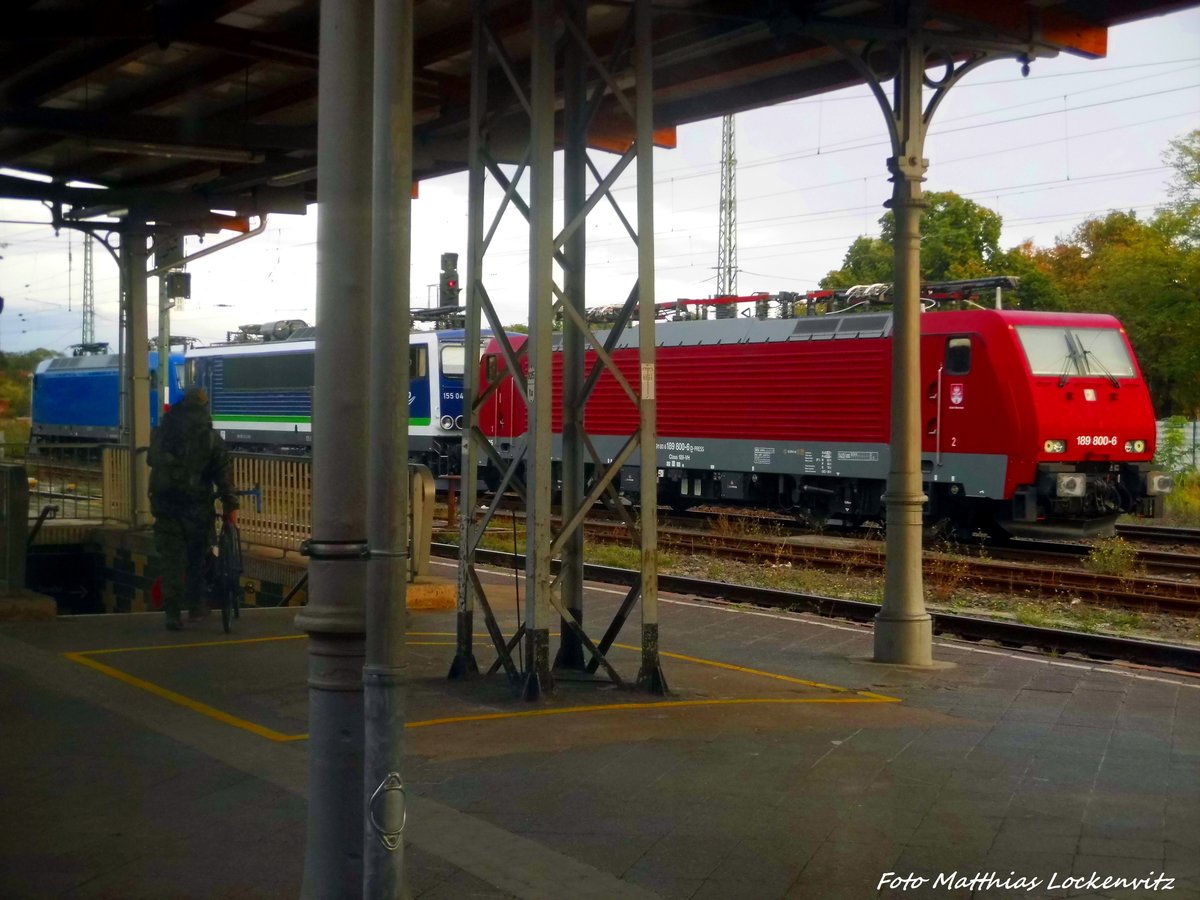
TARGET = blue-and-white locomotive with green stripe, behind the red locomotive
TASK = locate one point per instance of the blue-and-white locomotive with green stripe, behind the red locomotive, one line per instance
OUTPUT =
(260, 388)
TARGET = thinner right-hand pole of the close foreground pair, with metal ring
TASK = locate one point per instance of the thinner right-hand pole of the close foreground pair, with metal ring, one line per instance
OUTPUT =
(383, 676)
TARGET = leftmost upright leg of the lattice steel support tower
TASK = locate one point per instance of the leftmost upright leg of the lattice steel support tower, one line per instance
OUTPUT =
(465, 664)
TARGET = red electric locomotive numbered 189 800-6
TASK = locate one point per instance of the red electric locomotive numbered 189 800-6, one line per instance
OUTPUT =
(1034, 423)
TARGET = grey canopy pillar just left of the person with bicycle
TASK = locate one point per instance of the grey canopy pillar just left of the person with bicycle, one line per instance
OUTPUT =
(137, 369)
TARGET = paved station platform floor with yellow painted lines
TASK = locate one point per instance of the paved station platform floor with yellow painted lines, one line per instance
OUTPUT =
(145, 764)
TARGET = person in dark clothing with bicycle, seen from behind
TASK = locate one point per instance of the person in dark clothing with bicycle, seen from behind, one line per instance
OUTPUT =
(188, 460)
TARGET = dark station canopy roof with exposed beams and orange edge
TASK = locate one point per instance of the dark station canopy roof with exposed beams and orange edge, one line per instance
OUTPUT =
(182, 109)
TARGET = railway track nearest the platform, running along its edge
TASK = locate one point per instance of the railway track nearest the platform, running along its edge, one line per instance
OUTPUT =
(967, 628)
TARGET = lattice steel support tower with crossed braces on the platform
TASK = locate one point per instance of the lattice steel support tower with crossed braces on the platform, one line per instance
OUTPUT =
(587, 473)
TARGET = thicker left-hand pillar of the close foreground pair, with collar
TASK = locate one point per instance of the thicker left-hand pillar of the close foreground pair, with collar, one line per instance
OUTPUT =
(338, 571)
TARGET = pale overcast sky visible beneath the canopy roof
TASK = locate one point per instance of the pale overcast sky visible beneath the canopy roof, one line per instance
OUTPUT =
(1075, 140)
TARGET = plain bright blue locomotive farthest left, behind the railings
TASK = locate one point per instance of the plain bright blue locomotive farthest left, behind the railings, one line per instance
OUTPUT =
(77, 399)
